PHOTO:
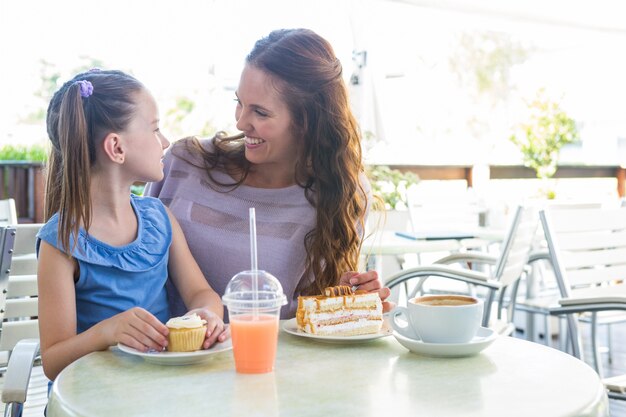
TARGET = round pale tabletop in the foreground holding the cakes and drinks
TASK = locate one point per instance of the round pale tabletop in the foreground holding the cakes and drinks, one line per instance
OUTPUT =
(512, 377)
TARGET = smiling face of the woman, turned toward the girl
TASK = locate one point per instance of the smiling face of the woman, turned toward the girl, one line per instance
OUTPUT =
(263, 116)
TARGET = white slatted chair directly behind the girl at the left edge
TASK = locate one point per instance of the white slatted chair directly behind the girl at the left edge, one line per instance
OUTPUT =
(25, 387)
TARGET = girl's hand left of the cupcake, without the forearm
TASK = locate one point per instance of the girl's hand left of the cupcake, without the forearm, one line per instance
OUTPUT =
(136, 328)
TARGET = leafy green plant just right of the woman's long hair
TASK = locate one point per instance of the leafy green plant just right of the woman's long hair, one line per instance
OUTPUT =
(391, 185)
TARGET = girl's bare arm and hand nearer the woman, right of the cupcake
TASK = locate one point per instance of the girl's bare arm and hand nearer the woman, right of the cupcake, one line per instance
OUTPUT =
(193, 287)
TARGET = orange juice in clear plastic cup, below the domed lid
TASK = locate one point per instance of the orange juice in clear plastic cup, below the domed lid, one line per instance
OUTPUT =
(254, 342)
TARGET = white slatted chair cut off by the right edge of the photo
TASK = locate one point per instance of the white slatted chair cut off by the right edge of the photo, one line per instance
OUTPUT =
(587, 249)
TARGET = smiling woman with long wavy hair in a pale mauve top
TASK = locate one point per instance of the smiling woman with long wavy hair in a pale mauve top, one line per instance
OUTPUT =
(297, 161)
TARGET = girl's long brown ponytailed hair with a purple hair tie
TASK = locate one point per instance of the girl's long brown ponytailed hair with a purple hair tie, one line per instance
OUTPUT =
(76, 124)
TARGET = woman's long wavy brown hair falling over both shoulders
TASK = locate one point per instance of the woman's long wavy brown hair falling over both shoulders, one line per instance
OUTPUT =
(305, 71)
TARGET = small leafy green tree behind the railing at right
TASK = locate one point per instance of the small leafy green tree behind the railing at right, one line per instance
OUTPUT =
(541, 138)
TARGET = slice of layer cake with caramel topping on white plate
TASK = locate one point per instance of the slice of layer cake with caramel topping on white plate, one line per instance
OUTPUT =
(340, 312)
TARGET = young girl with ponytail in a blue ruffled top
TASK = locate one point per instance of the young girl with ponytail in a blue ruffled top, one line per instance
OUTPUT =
(104, 255)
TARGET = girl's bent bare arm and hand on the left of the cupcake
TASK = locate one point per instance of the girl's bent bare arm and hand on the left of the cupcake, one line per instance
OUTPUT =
(60, 345)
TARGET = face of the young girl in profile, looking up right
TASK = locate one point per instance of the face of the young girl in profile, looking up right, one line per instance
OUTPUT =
(144, 143)
